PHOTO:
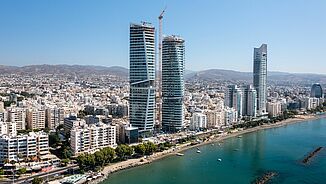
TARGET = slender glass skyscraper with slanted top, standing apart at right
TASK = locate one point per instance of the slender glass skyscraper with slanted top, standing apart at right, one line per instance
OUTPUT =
(260, 77)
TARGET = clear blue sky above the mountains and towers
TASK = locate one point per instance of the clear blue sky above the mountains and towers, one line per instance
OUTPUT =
(218, 34)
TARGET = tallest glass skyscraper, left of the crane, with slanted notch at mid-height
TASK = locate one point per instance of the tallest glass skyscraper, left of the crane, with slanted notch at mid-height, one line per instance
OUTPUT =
(142, 76)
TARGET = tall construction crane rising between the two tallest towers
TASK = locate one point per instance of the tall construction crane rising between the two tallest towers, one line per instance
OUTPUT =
(160, 18)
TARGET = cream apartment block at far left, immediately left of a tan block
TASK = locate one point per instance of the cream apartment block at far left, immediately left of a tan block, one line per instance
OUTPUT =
(18, 116)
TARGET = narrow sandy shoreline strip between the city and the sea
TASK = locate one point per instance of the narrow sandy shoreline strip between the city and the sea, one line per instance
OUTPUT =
(183, 147)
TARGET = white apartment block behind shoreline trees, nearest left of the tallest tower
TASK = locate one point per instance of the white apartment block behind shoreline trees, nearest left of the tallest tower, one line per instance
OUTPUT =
(90, 138)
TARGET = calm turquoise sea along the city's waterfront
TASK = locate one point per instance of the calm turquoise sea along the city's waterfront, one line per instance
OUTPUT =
(243, 159)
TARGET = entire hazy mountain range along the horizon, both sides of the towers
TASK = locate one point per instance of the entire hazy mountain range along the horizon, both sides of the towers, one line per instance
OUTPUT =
(206, 75)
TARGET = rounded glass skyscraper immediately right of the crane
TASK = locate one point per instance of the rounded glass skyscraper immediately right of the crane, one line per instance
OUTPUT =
(173, 59)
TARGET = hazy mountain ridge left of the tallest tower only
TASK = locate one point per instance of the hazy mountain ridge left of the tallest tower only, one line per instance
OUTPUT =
(65, 69)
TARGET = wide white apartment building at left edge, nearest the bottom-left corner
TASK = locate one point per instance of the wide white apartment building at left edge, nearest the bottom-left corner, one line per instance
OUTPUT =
(34, 144)
